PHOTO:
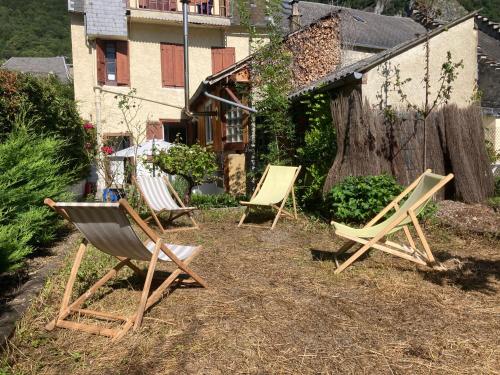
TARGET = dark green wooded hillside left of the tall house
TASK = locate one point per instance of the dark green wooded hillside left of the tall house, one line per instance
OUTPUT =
(34, 28)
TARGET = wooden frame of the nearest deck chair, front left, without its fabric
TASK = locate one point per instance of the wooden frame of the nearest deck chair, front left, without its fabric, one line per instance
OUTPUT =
(147, 300)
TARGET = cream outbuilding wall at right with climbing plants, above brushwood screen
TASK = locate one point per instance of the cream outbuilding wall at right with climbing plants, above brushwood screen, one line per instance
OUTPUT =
(460, 40)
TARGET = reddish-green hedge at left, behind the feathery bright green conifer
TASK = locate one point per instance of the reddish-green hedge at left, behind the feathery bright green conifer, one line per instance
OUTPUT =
(50, 106)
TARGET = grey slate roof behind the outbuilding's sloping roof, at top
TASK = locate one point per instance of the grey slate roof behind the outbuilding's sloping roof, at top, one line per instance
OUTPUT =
(362, 29)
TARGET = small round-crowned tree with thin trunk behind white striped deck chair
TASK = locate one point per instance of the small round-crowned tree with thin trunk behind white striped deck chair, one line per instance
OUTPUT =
(196, 164)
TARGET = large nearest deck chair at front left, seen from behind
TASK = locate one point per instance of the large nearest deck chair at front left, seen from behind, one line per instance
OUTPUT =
(106, 226)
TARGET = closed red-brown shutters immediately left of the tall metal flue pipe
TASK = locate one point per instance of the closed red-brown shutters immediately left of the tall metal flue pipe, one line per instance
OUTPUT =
(172, 65)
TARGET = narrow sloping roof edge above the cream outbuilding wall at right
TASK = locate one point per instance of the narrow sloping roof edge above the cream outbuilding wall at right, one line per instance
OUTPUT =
(354, 71)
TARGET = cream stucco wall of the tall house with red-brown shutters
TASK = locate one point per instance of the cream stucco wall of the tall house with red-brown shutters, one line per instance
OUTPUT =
(157, 102)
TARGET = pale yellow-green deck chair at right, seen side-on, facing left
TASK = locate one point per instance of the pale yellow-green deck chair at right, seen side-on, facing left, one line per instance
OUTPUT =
(420, 192)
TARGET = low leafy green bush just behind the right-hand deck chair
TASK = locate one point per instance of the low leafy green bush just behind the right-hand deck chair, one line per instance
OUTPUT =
(359, 199)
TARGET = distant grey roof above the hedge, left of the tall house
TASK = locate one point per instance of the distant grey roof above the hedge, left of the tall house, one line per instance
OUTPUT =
(41, 66)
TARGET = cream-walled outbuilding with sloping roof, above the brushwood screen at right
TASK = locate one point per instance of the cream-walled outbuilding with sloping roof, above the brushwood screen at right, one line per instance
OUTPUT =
(458, 37)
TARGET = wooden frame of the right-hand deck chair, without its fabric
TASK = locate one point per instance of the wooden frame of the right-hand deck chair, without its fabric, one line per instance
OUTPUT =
(411, 253)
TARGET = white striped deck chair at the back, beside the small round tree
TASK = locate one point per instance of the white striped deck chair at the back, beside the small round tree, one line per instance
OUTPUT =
(157, 193)
